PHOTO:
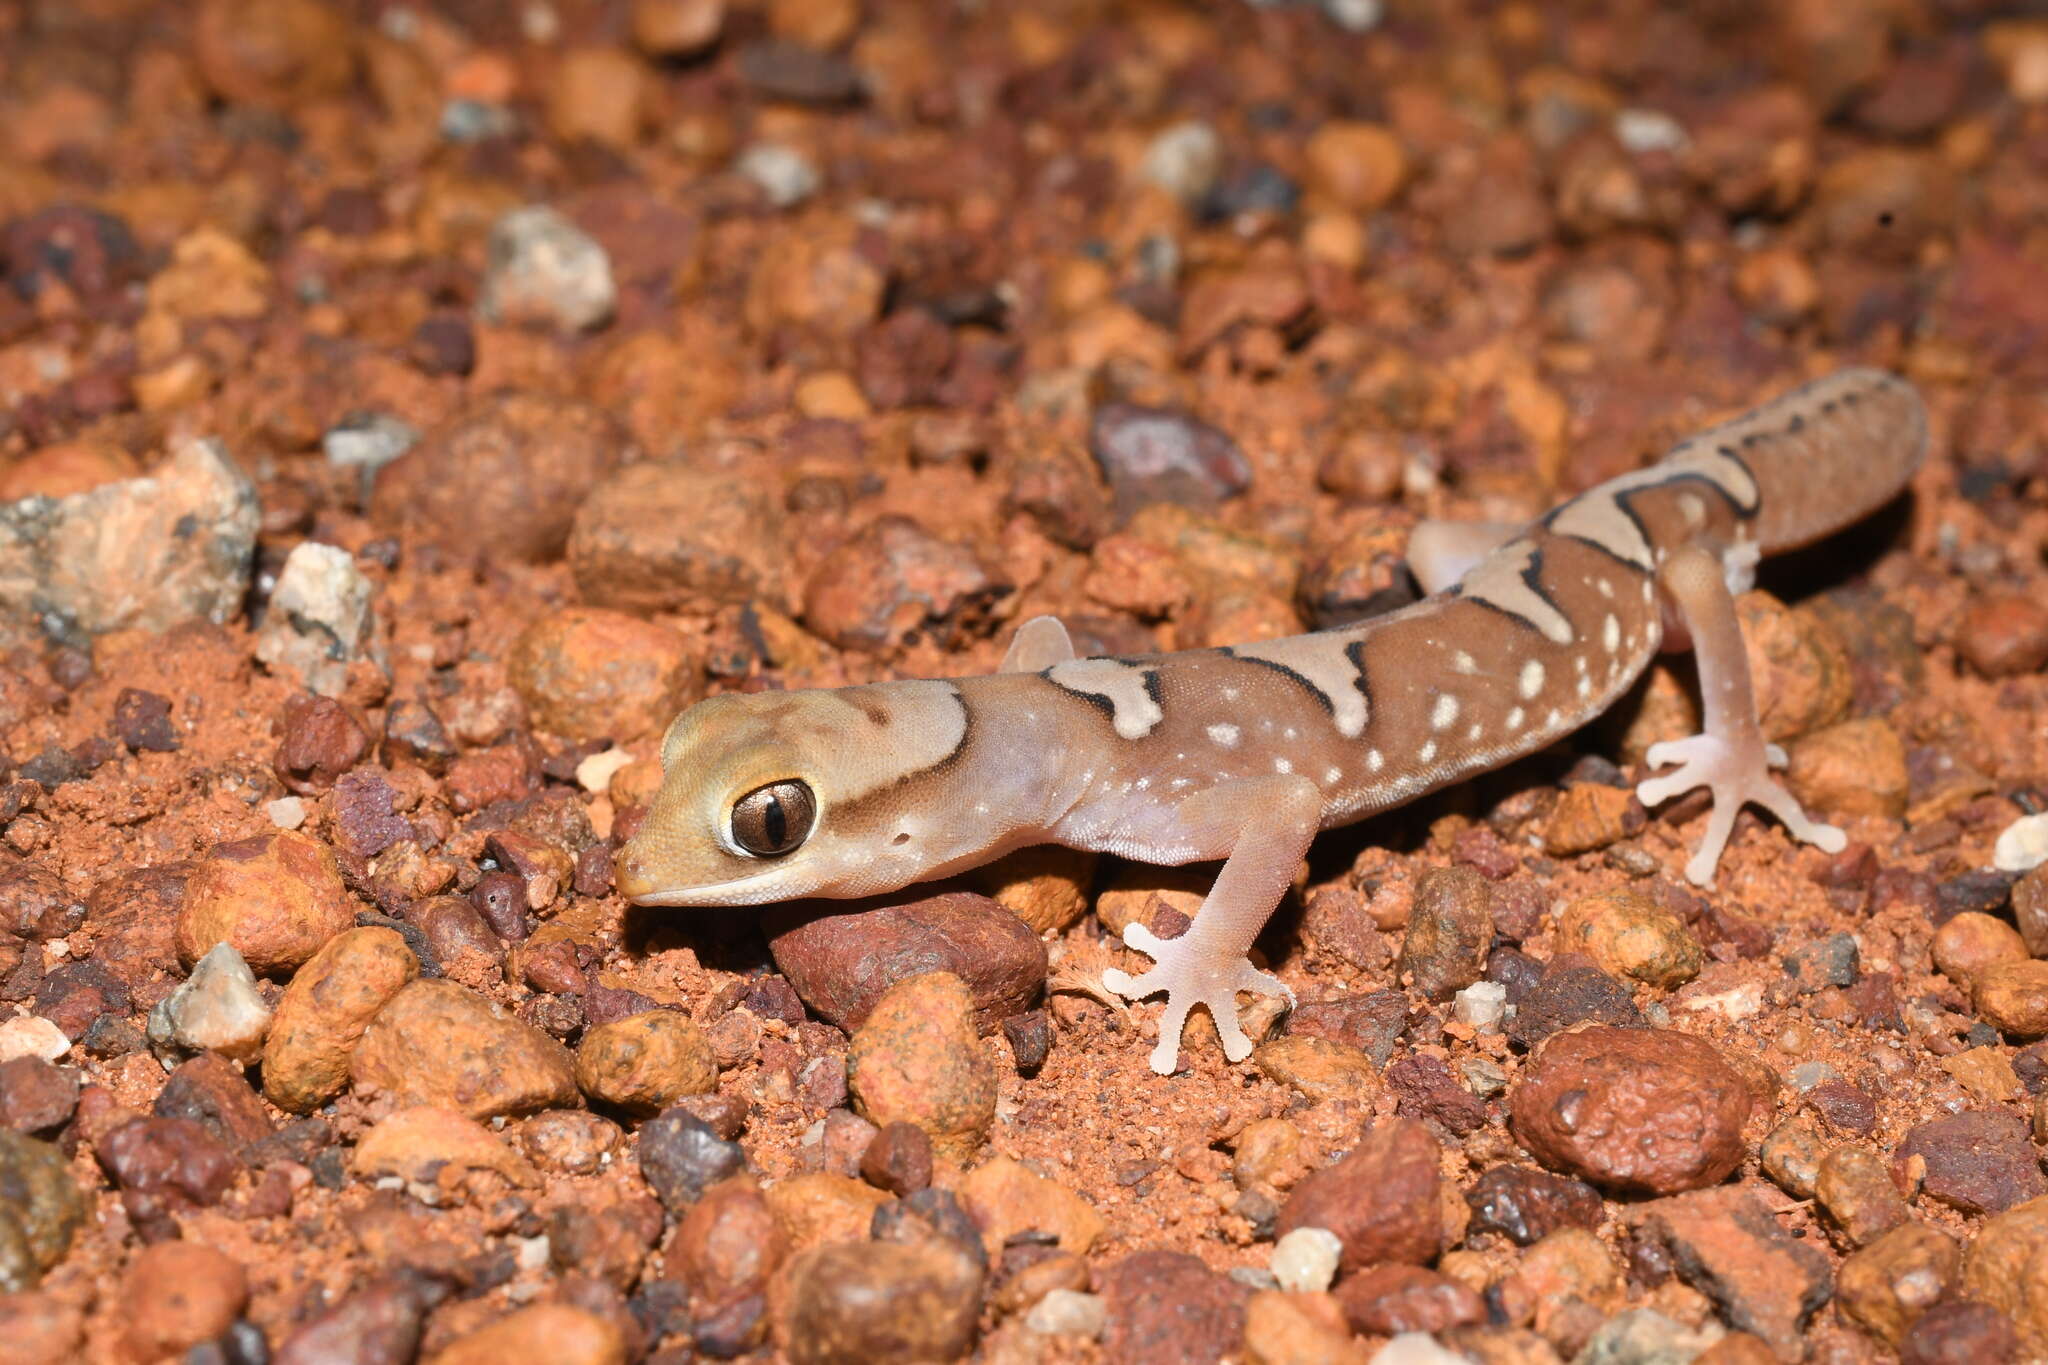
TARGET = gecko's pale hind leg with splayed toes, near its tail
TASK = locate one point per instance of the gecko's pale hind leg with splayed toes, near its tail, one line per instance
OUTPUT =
(1730, 756)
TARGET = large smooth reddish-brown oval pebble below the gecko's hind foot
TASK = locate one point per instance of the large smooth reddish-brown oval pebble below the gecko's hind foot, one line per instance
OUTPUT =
(1633, 1110)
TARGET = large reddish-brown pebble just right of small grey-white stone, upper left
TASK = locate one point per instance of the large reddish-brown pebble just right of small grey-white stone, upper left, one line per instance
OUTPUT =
(503, 476)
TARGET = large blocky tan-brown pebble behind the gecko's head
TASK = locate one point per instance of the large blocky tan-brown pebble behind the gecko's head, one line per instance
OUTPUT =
(660, 537)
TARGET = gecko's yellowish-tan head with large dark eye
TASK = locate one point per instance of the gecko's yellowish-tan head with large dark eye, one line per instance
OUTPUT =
(781, 795)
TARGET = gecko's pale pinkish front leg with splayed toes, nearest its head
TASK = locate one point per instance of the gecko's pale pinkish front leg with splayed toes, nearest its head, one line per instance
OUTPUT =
(1265, 826)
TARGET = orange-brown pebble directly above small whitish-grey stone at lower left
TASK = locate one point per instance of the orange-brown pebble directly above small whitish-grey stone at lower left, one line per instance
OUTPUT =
(278, 899)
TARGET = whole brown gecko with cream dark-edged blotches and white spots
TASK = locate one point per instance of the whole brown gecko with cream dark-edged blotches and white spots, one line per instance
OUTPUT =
(1244, 754)
